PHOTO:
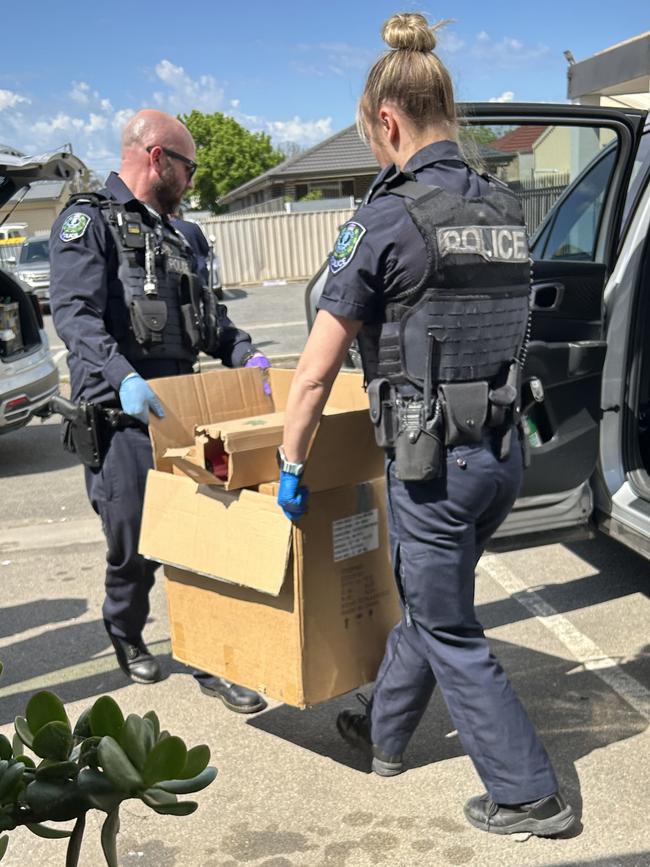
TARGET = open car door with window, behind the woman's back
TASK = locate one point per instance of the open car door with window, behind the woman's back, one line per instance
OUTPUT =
(570, 167)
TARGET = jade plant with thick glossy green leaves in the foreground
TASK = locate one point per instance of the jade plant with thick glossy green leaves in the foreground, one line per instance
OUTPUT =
(101, 762)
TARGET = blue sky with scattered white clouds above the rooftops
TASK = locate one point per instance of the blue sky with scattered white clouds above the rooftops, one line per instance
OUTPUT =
(74, 73)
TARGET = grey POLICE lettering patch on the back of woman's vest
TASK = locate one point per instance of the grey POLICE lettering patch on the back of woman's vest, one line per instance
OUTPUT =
(492, 243)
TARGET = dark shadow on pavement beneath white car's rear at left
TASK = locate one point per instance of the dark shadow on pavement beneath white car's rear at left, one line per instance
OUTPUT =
(32, 450)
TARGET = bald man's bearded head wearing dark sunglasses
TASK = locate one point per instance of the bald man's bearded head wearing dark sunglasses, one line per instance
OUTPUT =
(157, 153)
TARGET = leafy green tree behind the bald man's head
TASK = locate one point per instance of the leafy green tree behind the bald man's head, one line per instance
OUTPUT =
(228, 155)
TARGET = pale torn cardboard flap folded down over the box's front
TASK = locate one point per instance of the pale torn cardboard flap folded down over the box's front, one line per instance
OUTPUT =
(202, 530)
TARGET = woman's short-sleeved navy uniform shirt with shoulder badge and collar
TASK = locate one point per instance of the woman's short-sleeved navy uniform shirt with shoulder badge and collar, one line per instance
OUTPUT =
(380, 250)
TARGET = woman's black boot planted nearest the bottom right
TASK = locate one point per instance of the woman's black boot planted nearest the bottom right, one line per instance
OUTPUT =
(545, 818)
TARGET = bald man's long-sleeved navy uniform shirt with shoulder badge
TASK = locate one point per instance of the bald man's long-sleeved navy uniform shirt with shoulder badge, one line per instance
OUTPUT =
(88, 307)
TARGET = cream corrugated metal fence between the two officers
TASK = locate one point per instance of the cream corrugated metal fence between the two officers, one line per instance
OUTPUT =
(283, 246)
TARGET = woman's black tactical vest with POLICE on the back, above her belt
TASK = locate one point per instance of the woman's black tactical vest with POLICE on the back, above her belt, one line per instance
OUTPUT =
(466, 319)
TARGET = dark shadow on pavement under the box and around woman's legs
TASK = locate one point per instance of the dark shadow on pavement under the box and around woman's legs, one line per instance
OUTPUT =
(573, 710)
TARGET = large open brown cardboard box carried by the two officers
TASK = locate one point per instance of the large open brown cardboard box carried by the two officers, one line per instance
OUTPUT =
(300, 613)
